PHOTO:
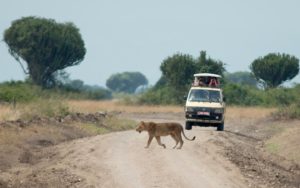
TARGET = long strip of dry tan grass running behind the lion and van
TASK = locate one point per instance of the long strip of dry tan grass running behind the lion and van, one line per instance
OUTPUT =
(7, 112)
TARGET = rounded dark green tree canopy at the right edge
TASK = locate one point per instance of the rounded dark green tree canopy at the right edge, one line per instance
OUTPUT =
(274, 69)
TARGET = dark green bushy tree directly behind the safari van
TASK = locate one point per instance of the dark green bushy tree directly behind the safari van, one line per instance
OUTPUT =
(178, 73)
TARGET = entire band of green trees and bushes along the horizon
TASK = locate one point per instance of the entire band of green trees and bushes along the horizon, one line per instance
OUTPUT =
(38, 42)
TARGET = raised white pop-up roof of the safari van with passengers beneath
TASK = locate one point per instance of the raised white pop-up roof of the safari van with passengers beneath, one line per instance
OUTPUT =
(207, 80)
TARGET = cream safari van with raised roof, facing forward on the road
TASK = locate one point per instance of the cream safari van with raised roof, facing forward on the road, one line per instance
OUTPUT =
(205, 104)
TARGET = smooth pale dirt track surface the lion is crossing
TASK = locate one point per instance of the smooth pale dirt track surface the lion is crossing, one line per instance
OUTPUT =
(120, 160)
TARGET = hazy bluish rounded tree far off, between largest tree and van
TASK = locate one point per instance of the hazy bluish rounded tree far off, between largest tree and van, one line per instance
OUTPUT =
(126, 82)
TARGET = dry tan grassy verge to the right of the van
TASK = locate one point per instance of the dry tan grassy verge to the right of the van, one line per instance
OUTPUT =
(280, 137)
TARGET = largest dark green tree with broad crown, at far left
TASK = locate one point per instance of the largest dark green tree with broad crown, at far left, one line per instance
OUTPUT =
(45, 45)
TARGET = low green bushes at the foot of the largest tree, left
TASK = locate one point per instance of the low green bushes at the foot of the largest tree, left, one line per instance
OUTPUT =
(20, 92)
